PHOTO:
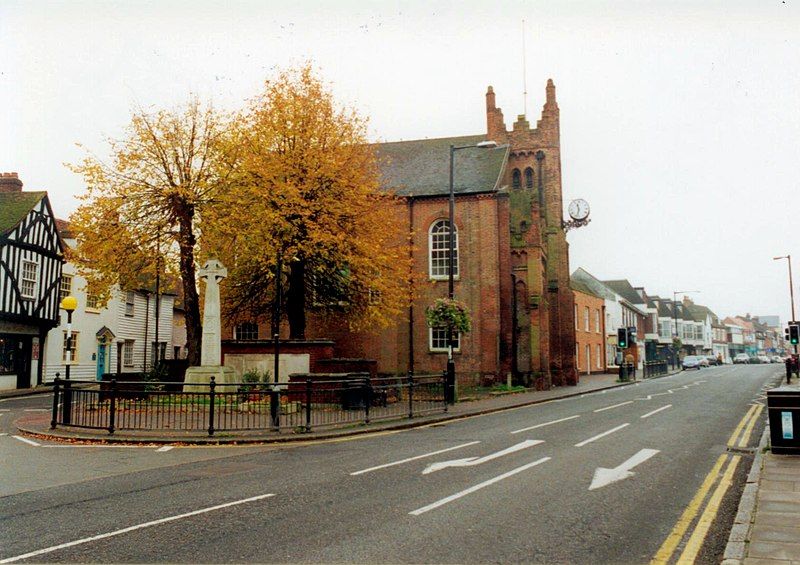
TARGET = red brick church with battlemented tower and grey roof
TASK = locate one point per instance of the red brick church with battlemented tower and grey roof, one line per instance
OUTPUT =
(511, 258)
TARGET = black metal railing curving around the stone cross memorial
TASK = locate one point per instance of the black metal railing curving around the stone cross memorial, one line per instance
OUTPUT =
(298, 406)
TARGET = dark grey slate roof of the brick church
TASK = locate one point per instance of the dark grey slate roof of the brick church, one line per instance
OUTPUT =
(422, 167)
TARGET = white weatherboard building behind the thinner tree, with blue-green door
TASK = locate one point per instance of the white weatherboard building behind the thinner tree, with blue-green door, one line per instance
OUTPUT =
(121, 336)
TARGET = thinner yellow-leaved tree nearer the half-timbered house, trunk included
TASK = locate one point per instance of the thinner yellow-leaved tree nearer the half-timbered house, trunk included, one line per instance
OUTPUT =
(146, 202)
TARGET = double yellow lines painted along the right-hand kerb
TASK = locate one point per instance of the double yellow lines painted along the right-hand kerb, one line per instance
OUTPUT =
(721, 476)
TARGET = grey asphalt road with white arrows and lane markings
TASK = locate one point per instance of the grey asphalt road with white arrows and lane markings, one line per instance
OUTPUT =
(619, 477)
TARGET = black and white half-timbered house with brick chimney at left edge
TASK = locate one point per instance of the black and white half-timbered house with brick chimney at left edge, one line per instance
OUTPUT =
(31, 256)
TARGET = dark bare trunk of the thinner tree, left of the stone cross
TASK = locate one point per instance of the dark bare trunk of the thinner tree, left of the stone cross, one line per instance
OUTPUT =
(191, 301)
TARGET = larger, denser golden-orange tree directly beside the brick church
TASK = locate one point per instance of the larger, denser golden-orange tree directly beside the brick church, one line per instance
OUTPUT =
(307, 196)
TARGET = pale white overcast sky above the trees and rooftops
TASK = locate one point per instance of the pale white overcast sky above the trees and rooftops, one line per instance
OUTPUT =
(680, 121)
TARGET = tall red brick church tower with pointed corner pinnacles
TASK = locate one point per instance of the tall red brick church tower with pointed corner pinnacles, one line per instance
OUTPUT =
(545, 340)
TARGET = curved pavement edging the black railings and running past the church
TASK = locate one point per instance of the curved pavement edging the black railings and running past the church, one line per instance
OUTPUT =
(38, 424)
